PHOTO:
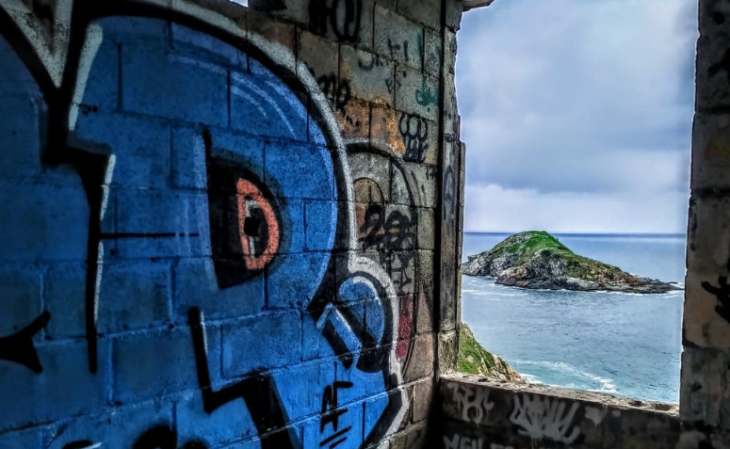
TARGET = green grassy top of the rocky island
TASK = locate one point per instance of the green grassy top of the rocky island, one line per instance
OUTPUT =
(540, 241)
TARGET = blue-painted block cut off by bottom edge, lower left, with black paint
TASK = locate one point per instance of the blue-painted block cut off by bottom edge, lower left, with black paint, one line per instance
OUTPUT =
(118, 428)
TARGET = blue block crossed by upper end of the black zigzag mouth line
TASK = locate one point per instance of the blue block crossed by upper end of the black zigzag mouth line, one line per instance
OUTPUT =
(149, 365)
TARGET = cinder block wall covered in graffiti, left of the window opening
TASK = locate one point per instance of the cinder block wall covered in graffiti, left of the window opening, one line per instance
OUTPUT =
(226, 226)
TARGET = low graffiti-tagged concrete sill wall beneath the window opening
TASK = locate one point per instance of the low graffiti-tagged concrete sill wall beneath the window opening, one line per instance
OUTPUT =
(486, 414)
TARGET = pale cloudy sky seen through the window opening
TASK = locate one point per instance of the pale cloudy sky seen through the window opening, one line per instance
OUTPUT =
(577, 115)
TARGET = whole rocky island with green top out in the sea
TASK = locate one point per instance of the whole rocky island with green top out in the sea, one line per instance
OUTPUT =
(537, 260)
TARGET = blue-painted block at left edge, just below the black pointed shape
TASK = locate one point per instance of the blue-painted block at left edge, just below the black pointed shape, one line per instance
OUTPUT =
(72, 391)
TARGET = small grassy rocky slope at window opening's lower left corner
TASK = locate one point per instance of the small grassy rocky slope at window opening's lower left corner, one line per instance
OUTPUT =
(474, 359)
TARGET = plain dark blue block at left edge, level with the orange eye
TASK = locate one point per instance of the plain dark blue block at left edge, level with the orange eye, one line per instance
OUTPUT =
(43, 222)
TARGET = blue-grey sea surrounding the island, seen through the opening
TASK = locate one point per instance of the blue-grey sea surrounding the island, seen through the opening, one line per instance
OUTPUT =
(623, 344)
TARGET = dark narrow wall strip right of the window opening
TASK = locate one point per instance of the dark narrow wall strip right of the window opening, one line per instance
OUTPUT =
(705, 389)
